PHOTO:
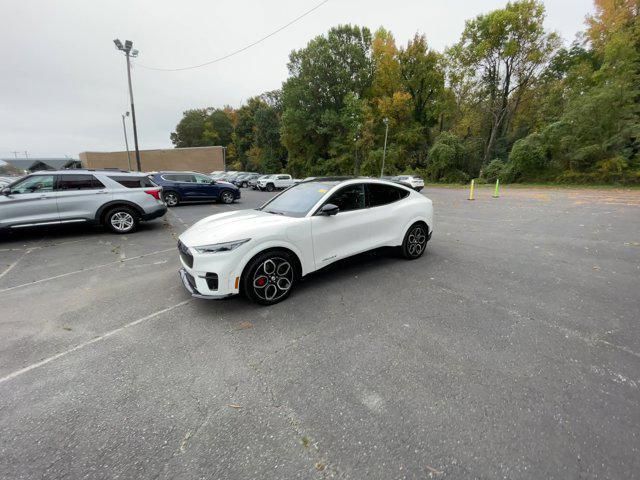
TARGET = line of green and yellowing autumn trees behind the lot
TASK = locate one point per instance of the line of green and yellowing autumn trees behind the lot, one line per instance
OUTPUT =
(507, 101)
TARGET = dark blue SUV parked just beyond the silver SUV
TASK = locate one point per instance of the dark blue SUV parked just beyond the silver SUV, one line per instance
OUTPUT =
(178, 187)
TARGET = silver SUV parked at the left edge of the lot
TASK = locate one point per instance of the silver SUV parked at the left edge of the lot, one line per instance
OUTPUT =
(113, 198)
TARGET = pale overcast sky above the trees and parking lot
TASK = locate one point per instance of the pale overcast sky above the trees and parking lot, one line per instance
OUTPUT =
(63, 84)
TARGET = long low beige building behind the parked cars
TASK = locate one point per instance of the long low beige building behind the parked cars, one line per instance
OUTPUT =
(197, 159)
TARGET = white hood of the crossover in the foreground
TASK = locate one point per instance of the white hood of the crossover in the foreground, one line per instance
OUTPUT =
(226, 227)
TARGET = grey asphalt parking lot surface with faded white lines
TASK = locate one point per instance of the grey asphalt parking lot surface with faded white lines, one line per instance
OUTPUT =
(511, 349)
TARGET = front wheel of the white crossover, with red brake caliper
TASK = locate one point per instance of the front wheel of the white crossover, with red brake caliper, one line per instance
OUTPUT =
(264, 283)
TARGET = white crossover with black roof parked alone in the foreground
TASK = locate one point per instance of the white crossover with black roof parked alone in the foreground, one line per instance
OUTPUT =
(262, 253)
